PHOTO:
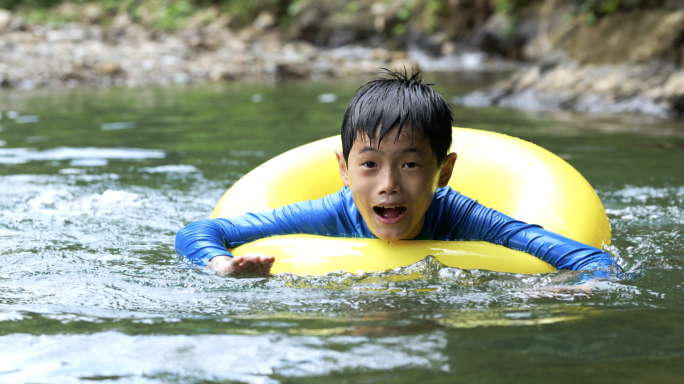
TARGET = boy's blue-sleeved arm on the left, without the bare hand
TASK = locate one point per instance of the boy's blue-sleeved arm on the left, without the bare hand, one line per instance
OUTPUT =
(204, 240)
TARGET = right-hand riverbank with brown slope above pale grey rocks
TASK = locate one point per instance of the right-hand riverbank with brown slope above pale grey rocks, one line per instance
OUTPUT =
(628, 62)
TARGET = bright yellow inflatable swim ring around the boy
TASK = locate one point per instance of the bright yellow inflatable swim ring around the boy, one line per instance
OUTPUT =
(513, 176)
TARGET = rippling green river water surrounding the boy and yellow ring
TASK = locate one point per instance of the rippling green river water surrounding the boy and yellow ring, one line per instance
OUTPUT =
(95, 183)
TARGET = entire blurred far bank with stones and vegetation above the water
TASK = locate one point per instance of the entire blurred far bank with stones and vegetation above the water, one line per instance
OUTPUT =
(584, 55)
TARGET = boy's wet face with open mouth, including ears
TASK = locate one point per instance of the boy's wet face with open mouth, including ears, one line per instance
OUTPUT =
(393, 185)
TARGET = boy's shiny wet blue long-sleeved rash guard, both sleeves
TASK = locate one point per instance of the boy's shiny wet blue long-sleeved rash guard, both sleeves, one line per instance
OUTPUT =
(451, 216)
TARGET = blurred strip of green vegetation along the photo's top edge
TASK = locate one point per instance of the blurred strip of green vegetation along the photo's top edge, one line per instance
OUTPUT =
(431, 16)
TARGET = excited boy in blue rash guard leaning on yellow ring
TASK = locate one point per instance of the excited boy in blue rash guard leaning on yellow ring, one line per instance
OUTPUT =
(395, 167)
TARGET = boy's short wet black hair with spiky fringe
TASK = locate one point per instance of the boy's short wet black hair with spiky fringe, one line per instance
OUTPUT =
(398, 101)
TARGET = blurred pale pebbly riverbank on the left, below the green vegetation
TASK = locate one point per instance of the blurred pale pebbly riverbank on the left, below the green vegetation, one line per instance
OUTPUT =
(122, 52)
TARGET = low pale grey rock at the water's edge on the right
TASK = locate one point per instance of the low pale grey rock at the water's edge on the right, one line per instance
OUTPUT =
(651, 89)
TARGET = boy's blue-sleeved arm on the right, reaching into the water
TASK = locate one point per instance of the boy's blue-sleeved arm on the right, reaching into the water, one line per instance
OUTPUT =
(470, 220)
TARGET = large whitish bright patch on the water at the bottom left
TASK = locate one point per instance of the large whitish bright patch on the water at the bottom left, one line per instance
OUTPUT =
(41, 358)
